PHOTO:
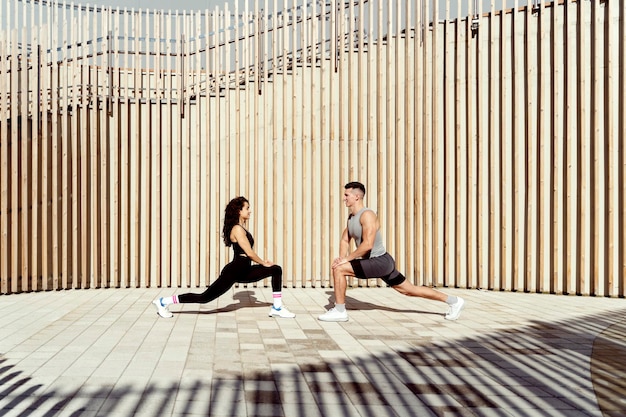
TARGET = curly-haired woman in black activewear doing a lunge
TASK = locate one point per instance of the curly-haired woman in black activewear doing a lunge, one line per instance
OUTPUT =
(240, 269)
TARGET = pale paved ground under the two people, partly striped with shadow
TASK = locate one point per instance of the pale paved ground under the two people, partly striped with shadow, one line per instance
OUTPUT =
(107, 353)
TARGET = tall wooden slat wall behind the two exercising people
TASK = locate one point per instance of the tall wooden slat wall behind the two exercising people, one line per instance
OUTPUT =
(492, 146)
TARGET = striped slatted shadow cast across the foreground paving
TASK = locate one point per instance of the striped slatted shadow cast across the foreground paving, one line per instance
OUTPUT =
(504, 373)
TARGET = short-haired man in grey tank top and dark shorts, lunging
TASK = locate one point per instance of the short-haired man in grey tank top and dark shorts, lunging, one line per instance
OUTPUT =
(371, 260)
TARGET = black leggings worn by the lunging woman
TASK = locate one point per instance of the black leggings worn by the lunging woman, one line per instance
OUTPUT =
(240, 270)
